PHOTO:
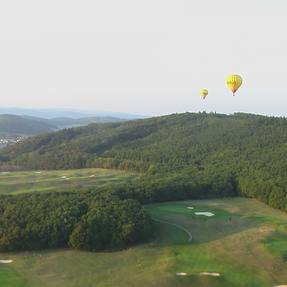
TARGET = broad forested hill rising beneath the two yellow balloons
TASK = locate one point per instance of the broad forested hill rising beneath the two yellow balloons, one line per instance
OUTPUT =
(245, 149)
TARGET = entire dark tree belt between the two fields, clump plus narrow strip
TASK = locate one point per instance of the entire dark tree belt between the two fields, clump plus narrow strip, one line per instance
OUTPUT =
(105, 218)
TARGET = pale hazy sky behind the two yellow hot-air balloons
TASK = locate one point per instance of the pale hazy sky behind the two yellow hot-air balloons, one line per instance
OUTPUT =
(144, 56)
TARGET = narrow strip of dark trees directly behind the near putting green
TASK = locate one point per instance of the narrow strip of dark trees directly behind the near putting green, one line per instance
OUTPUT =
(176, 186)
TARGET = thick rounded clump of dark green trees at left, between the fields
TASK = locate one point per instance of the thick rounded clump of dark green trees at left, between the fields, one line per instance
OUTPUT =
(89, 221)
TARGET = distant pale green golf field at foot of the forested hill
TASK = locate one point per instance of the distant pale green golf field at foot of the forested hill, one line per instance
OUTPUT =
(61, 180)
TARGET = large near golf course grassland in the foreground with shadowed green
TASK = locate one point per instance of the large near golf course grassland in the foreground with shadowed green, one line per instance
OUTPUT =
(245, 241)
